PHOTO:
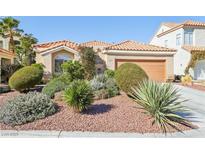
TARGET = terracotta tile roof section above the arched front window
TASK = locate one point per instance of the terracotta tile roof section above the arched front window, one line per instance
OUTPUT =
(51, 45)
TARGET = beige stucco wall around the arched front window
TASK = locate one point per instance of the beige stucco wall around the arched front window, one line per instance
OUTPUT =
(48, 59)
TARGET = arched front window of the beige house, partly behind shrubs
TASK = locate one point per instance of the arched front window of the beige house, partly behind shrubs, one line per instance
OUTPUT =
(60, 59)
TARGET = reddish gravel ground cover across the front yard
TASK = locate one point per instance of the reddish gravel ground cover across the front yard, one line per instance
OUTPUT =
(117, 114)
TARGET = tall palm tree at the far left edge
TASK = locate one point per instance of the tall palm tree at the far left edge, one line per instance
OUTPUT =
(9, 28)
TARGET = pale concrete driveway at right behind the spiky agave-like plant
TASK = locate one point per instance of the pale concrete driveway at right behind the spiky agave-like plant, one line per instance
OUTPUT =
(196, 104)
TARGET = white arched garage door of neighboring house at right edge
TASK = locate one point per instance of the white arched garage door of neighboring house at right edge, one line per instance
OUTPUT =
(199, 70)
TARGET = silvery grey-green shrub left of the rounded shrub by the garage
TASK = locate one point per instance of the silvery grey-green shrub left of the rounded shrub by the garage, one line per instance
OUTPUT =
(104, 87)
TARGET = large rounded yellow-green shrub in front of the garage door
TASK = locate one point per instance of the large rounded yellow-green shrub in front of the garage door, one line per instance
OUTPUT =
(129, 75)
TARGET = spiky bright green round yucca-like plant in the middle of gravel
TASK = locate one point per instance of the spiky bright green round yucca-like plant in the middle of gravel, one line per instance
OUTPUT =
(79, 95)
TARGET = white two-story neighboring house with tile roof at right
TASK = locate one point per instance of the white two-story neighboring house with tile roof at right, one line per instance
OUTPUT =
(187, 38)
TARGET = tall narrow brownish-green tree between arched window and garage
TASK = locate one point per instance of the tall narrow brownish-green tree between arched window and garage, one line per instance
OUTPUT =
(88, 56)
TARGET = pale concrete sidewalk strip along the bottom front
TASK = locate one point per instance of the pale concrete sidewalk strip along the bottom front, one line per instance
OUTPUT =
(198, 133)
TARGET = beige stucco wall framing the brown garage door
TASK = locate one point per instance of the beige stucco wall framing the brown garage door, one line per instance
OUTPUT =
(110, 61)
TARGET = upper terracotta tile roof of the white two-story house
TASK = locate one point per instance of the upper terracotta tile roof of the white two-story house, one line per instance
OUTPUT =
(188, 23)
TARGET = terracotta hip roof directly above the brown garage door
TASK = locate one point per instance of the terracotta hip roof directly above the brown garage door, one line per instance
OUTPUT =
(135, 46)
